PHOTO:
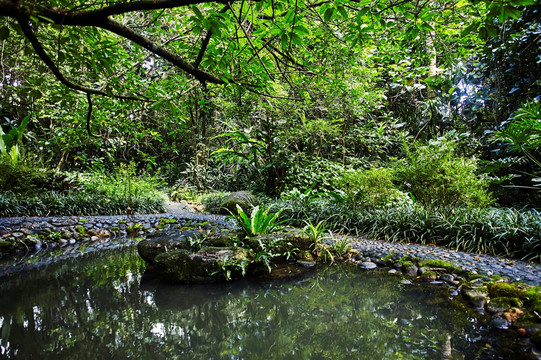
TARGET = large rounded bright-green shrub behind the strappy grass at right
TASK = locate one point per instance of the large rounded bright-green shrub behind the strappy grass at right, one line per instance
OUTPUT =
(438, 177)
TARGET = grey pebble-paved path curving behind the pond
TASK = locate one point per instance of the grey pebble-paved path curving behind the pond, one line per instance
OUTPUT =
(515, 270)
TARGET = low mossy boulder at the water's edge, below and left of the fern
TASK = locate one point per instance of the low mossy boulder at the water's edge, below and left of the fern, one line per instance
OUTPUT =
(202, 267)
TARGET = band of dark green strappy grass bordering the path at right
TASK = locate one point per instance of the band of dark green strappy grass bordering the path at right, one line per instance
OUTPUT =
(498, 231)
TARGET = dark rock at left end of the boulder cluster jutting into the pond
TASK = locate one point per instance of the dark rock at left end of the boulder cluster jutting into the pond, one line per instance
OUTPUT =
(163, 241)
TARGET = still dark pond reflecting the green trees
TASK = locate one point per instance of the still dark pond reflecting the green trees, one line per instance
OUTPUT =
(103, 306)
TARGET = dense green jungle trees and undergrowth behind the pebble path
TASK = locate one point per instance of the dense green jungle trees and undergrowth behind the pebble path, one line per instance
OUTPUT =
(399, 119)
